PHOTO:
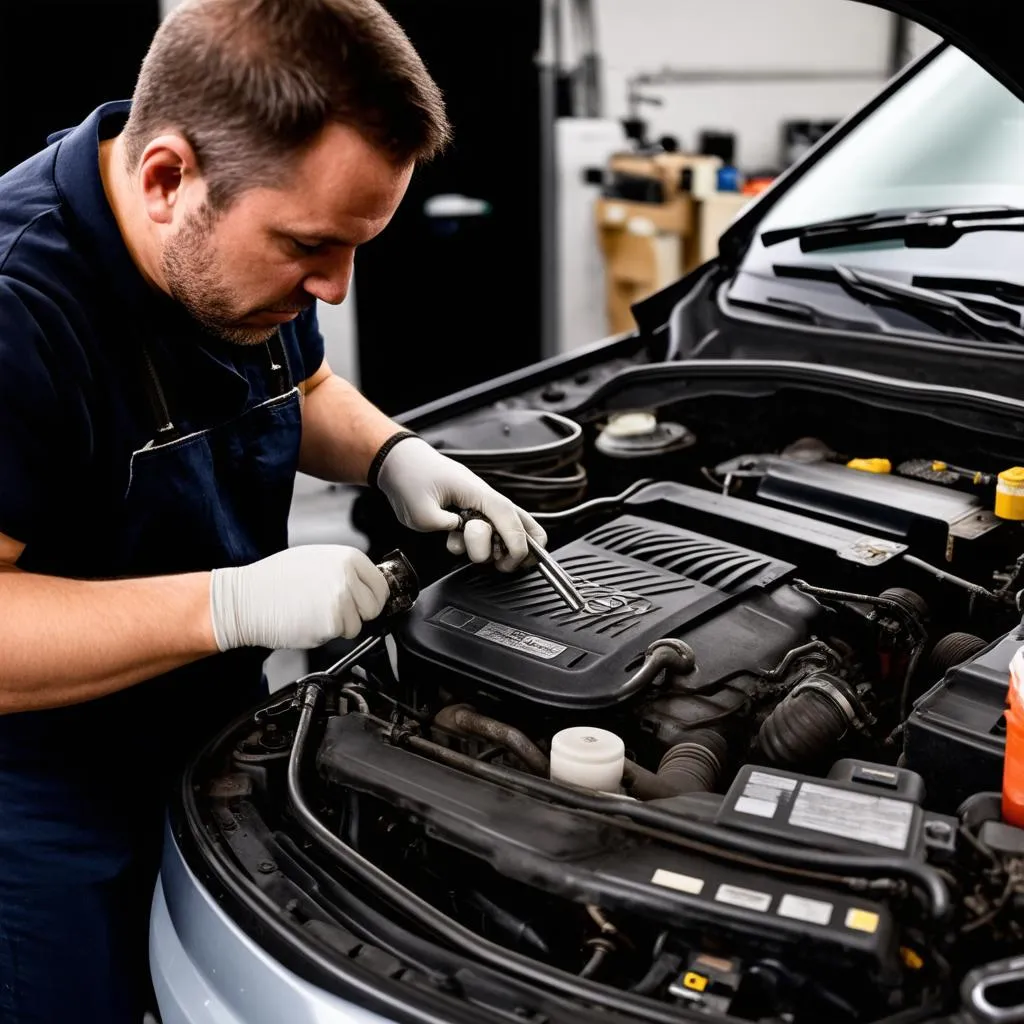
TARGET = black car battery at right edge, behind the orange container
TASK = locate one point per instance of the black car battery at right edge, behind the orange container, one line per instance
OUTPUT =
(956, 736)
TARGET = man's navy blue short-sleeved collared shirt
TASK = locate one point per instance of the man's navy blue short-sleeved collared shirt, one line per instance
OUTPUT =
(74, 312)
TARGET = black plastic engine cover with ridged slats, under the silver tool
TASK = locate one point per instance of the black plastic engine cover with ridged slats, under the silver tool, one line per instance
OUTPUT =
(516, 634)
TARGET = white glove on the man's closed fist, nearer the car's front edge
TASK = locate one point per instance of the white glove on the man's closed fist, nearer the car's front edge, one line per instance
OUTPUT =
(296, 600)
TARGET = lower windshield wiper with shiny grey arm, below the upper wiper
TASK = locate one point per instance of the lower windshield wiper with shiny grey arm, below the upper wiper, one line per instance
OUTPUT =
(922, 303)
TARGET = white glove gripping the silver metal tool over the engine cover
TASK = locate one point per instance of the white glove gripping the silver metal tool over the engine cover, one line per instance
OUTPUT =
(421, 485)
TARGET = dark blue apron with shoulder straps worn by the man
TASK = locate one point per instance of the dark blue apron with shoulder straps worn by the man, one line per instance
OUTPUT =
(82, 788)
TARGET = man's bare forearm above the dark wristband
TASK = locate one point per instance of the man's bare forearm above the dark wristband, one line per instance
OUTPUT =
(342, 433)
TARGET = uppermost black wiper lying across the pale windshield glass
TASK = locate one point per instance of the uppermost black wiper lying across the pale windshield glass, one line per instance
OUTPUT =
(917, 230)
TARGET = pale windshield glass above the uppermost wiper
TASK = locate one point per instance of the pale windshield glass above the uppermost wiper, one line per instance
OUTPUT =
(952, 137)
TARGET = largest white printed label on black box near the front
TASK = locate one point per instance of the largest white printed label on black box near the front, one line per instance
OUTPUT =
(854, 816)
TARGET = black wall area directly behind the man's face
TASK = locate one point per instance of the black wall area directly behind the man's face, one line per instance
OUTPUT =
(445, 306)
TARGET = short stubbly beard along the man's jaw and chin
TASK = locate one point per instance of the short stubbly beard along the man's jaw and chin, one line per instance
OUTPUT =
(190, 267)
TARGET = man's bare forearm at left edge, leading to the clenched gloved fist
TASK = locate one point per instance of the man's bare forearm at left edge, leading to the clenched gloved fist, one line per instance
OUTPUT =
(65, 642)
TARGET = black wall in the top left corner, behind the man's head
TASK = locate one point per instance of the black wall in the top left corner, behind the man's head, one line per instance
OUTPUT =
(59, 61)
